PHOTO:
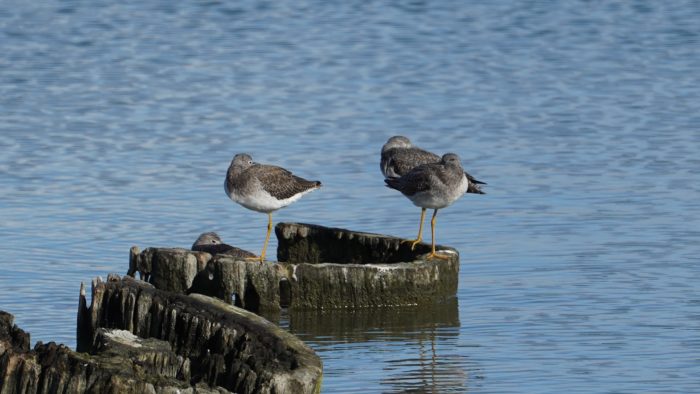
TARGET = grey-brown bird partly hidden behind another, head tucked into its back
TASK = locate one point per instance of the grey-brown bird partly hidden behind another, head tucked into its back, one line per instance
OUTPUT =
(399, 156)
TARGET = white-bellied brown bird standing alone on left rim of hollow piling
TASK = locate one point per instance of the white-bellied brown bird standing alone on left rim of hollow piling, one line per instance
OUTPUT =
(264, 188)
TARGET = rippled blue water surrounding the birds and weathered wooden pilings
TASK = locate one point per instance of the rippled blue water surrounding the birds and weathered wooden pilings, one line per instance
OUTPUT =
(580, 269)
